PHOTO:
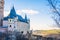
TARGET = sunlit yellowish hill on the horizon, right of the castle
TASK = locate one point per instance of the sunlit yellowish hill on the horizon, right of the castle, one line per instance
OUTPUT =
(47, 32)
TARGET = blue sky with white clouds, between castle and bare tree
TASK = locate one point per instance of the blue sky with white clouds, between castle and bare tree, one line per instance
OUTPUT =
(37, 11)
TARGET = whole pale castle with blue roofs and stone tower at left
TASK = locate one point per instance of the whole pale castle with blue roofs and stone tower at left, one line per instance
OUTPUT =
(14, 22)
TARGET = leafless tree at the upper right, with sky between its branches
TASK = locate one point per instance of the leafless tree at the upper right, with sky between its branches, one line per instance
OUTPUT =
(55, 7)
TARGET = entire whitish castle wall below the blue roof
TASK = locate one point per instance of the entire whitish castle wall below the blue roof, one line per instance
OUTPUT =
(20, 26)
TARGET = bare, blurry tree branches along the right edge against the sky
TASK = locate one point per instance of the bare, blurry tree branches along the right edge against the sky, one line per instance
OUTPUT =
(57, 20)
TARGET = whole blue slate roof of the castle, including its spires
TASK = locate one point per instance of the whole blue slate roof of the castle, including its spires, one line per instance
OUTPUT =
(13, 15)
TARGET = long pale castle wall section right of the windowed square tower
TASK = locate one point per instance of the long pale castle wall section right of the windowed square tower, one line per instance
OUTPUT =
(22, 27)
